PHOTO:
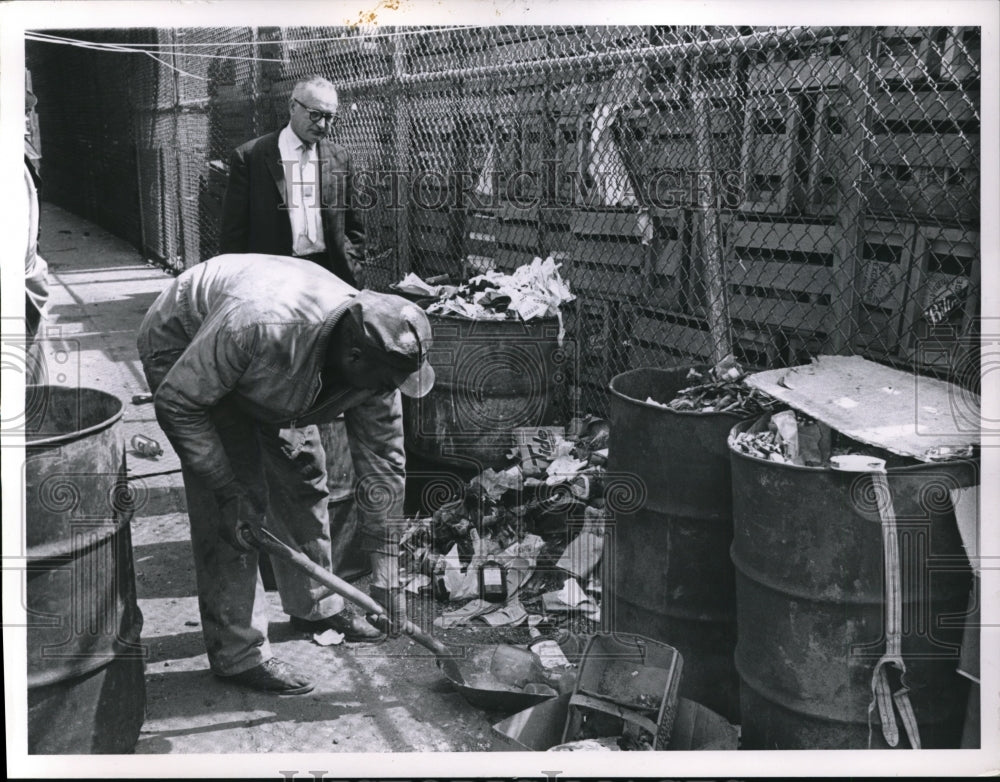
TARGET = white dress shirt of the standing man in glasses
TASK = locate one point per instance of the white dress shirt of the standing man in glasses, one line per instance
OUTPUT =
(300, 163)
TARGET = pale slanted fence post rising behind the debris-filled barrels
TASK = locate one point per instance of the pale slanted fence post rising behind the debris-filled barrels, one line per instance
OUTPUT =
(715, 289)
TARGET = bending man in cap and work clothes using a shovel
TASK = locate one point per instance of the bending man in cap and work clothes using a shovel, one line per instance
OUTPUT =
(245, 354)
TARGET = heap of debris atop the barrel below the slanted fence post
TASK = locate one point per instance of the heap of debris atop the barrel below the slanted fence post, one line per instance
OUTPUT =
(721, 389)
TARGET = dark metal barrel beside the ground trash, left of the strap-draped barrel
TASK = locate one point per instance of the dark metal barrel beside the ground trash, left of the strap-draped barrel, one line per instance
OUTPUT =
(673, 580)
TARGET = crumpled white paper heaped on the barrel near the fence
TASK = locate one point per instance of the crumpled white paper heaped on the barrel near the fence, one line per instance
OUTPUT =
(534, 290)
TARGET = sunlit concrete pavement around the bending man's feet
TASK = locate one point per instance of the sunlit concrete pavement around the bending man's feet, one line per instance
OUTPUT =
(388, 697)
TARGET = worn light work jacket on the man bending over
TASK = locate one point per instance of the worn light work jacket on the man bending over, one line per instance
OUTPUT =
(253, 330)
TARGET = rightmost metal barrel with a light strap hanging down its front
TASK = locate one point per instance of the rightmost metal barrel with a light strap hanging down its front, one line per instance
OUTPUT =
(808, 554)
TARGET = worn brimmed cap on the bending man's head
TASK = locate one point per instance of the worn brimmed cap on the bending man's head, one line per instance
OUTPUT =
(397, 333)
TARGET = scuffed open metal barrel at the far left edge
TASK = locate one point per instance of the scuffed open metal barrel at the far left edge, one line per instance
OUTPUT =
(86, 673)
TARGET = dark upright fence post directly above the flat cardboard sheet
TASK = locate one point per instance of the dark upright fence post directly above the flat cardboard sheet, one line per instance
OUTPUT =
(850, 217)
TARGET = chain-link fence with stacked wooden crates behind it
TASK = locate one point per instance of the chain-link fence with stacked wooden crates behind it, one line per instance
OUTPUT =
(774, 193)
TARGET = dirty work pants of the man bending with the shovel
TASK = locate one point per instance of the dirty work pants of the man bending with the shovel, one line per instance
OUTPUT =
(286, 469)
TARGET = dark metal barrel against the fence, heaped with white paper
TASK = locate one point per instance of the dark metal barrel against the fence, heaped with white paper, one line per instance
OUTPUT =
(492, 376)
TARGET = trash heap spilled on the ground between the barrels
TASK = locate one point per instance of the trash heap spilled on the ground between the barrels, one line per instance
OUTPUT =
(521, 544)
